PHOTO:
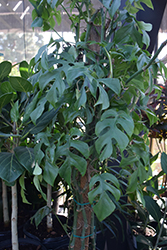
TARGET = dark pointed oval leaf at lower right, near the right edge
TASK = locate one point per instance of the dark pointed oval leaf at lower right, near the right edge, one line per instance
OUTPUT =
(153, 208)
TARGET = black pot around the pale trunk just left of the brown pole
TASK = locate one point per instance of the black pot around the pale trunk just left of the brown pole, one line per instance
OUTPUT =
(49, 243)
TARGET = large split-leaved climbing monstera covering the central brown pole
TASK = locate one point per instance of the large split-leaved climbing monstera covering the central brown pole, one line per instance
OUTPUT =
(95, 87)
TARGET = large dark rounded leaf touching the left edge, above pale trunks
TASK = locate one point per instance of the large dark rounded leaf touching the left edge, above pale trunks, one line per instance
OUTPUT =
(10, 168)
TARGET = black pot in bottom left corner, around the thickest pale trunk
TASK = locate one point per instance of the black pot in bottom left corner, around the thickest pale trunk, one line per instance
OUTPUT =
(29, 243)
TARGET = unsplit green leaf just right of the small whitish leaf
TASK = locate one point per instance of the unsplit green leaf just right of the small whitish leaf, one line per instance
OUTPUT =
(50, 173)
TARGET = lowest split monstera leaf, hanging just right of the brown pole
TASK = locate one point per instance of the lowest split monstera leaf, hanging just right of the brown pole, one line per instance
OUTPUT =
(99, 185)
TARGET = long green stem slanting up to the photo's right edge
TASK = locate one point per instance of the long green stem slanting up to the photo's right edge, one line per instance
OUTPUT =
(149, 64)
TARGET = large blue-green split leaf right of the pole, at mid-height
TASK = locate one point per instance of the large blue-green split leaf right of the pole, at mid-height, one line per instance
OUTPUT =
(112, 126)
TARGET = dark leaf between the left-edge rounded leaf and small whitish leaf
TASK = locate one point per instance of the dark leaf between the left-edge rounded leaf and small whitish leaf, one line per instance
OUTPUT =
(26, 157)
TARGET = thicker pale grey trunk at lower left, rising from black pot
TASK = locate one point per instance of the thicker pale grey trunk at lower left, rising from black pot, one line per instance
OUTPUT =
(15, 245)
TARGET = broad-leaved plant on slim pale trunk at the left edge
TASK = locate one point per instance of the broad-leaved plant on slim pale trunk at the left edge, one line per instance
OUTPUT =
(17, 155)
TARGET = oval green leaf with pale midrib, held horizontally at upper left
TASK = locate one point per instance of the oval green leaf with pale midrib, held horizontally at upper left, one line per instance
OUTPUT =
(20, 84)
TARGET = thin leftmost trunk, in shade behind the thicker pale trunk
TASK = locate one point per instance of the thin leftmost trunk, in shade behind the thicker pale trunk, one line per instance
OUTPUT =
(5, 204)
